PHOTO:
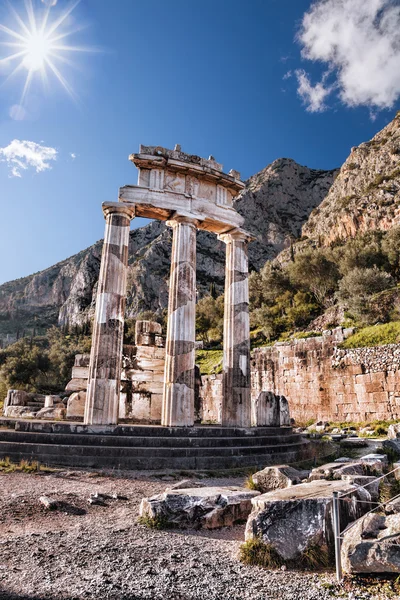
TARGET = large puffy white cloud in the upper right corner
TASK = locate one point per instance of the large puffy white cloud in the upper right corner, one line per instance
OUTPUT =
(359, 41)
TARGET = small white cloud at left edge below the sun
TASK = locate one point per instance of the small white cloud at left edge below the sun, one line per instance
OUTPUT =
(21, 155)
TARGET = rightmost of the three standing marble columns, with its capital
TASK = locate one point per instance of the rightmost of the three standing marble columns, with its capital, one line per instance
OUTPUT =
(236, 403)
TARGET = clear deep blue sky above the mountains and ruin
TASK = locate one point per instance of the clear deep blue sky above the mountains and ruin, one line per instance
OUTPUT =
(218, 77)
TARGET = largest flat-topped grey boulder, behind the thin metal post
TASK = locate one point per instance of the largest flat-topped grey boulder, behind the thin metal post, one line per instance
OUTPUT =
(300, 517)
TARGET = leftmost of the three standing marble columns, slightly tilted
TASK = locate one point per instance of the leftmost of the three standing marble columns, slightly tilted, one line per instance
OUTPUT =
(104, 380)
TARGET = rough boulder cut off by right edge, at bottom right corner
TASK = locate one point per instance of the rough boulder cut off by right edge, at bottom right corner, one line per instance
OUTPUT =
(372, 545)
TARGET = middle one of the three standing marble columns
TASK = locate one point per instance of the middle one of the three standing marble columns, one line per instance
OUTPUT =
(178, 399)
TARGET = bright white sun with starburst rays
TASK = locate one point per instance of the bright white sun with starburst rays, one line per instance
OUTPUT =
(38, 45)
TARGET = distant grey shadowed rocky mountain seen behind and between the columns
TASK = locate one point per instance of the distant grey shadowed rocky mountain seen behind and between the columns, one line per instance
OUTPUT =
(275, 203)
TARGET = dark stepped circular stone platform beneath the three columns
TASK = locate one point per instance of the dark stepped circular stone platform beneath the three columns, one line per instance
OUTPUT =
(149, 447)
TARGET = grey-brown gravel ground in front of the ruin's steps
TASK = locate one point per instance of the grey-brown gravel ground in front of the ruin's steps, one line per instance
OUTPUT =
(101, 552)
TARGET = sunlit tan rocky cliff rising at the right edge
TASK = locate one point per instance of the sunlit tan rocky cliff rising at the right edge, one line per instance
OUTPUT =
(365, 194)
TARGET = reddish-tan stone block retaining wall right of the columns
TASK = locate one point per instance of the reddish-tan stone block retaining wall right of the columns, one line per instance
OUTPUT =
(324, 382)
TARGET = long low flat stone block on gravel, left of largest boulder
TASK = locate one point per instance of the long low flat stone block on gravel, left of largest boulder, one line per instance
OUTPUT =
(208, 507)
